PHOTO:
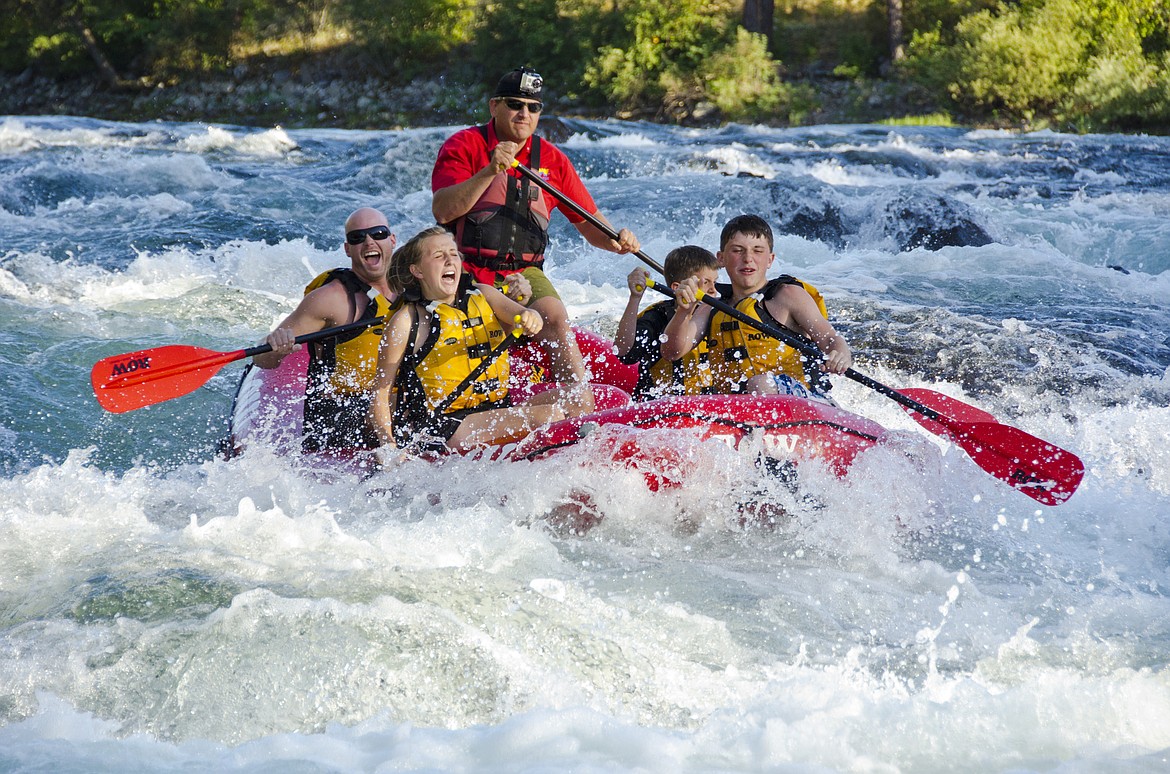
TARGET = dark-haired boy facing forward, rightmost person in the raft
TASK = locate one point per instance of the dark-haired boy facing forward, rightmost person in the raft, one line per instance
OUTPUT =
(745, 360)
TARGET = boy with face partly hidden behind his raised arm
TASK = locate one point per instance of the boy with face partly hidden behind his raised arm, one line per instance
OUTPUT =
(639, 337)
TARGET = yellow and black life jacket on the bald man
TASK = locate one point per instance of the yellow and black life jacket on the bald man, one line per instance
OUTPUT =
(347, 364)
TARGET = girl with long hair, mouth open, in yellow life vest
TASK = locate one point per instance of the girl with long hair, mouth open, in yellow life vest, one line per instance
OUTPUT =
(428, 396)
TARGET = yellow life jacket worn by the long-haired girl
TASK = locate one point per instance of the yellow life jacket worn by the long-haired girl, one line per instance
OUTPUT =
(459, 338)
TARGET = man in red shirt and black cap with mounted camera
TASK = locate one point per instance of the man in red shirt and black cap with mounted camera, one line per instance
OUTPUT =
(501, 219)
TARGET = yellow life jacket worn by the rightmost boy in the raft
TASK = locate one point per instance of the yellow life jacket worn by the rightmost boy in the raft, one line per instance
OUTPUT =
(738, 353)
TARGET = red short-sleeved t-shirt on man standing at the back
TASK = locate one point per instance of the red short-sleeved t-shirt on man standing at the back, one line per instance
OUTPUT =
(465, 154)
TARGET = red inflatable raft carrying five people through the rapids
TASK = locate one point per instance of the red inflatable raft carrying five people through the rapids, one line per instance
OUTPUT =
(269, 410)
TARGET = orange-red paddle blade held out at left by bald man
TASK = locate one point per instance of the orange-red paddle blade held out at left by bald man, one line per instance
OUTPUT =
(123, 383)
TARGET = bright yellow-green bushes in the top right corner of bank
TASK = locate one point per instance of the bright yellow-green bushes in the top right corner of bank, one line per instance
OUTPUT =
(1082, 63)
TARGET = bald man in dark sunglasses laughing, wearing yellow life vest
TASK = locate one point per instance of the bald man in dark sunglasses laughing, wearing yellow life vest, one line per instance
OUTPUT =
(342, 370)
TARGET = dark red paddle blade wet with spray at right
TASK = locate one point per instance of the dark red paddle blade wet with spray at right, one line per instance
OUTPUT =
(1045, 473)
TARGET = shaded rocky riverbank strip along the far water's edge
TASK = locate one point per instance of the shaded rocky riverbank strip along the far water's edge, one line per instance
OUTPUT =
(308, 96)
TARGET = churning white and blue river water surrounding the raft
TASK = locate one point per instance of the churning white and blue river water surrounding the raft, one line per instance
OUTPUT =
(164, 610)
